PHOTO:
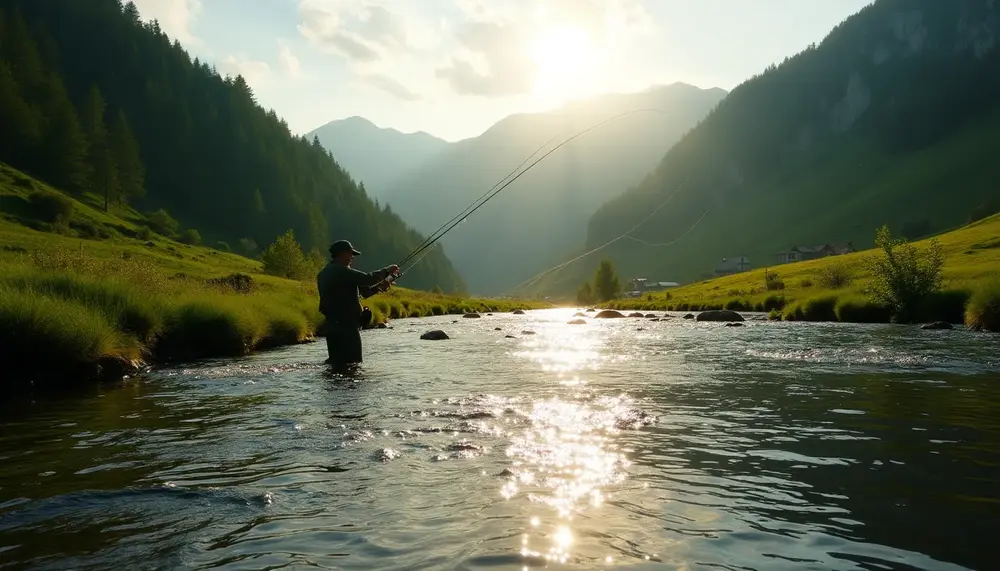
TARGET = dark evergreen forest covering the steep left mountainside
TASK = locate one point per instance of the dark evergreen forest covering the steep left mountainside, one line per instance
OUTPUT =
(93, 99)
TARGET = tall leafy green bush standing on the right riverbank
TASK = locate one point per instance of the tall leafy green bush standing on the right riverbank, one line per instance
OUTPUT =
(903, 276)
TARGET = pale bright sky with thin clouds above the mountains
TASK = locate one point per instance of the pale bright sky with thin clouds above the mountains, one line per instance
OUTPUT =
(452, 68)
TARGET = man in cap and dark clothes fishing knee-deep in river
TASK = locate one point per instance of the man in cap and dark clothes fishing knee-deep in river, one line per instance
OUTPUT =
(341, 288)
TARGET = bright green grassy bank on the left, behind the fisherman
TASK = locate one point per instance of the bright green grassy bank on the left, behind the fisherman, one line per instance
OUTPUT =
(88, 294)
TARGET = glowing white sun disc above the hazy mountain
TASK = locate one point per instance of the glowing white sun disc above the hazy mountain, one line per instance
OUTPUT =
(562, 55)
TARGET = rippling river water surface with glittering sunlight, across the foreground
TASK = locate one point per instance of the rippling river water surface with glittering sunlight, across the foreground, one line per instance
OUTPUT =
(620, 443)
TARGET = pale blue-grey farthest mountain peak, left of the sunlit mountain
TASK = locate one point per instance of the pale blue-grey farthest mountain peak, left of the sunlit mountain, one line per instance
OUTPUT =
(374, 155)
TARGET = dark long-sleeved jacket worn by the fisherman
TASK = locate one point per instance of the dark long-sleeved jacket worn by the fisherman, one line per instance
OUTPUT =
(340, 289)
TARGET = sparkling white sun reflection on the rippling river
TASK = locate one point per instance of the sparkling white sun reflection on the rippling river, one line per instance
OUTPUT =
(566, 457)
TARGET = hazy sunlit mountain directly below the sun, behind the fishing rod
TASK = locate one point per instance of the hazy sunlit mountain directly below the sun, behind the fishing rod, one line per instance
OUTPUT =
(544, 212)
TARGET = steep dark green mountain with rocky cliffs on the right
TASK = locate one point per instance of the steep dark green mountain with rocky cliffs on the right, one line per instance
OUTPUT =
(894, 118)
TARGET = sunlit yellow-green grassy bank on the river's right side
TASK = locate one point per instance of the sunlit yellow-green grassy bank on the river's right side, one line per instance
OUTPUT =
(836, 288)
